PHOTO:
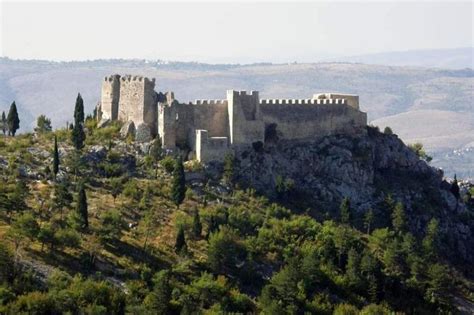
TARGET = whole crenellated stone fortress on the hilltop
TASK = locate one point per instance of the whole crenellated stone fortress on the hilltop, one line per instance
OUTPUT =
(211, 128)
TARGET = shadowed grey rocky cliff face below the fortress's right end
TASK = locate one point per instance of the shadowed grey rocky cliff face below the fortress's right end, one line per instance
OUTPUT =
(366, 169)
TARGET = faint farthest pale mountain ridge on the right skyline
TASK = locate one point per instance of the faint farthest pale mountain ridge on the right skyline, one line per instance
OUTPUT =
(458, 58)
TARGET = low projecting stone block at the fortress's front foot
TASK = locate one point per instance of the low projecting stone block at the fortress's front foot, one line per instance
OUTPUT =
(210, 148)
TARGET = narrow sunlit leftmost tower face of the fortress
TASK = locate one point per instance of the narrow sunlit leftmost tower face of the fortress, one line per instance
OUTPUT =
(110, 95)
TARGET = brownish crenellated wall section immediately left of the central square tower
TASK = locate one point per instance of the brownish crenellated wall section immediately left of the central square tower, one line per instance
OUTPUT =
(212, 116)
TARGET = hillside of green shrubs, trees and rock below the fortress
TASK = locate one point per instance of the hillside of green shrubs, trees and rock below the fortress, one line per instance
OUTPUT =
(94, 223)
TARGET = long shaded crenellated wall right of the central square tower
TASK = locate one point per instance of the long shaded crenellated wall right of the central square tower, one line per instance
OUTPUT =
(299, 121)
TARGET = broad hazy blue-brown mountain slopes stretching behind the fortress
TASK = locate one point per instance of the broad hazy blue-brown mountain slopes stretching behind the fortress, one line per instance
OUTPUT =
(434, 106)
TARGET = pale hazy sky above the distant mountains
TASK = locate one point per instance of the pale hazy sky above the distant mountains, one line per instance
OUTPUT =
(229, 32)
